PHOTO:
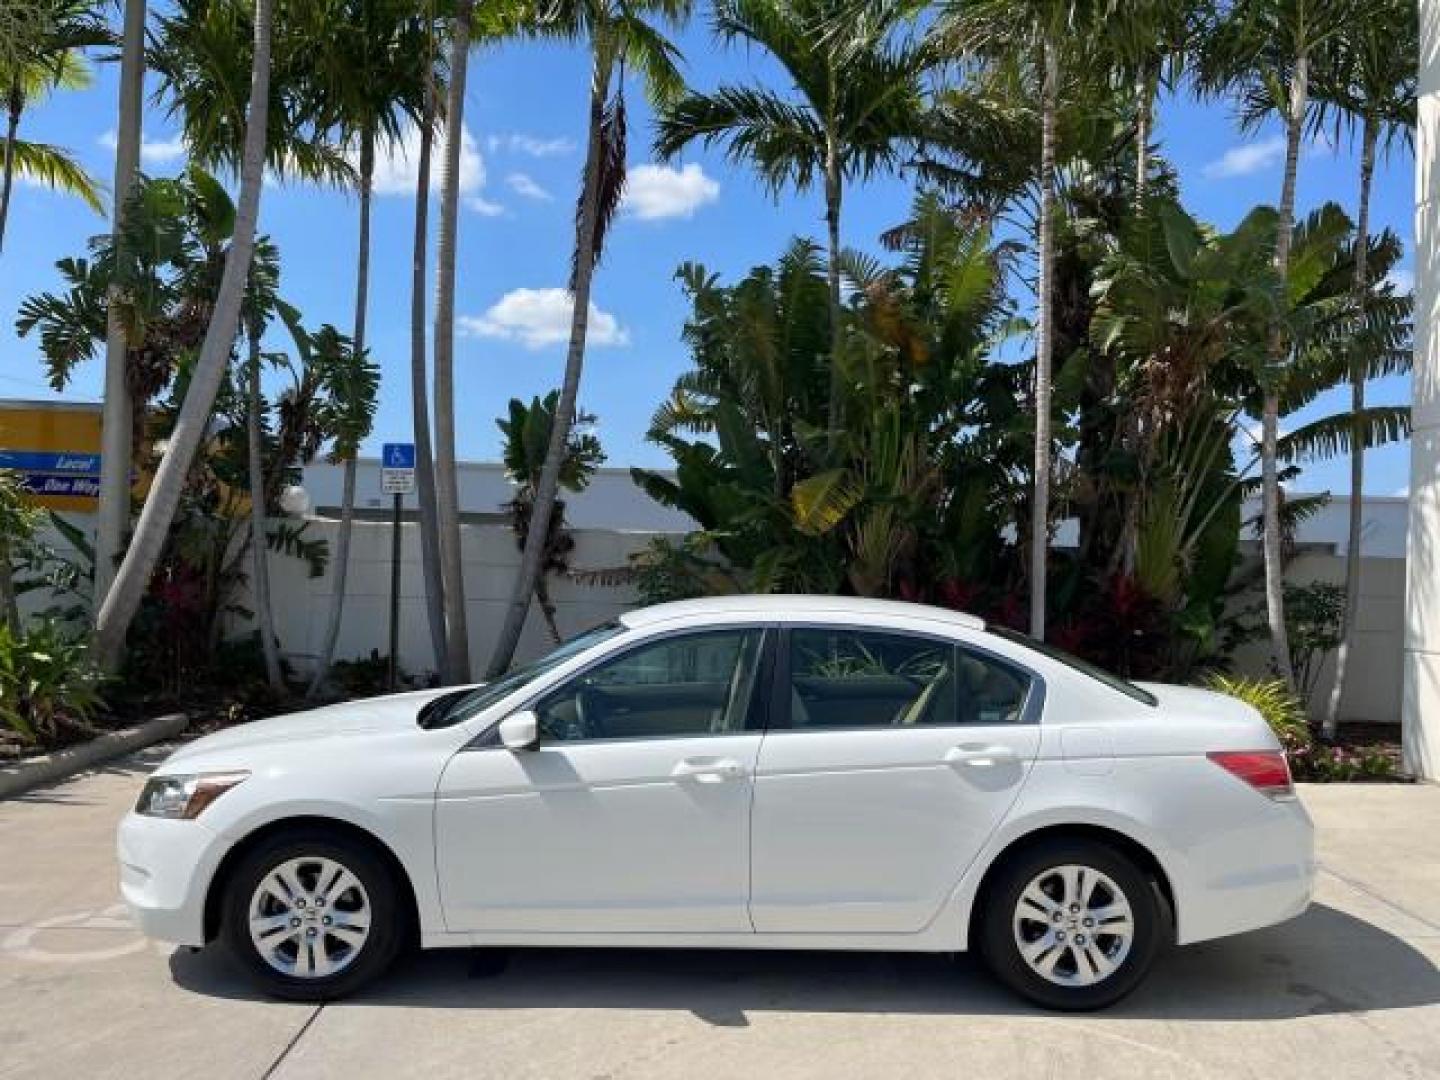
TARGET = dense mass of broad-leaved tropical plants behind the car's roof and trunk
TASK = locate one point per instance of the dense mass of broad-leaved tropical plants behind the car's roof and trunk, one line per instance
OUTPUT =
(924, 493)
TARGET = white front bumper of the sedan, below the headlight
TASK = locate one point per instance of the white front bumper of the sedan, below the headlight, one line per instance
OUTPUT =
(165, 870)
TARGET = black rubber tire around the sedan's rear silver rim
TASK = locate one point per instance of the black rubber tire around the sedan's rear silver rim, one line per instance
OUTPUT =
(997, 938)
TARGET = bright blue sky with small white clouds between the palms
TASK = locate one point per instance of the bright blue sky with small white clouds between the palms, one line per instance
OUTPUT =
(525, 116)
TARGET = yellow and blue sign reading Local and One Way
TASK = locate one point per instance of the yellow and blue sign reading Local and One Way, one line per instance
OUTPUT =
(55, 449)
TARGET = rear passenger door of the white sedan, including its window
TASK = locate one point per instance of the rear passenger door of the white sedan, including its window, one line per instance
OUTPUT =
(891, 761)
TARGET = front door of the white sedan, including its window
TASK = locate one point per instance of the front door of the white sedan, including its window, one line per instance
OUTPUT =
(634, 813)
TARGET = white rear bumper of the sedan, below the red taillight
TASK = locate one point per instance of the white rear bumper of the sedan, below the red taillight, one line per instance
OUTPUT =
(1265, 879)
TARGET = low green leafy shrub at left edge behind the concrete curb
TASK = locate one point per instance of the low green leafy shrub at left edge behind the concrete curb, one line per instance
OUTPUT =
(47, 682)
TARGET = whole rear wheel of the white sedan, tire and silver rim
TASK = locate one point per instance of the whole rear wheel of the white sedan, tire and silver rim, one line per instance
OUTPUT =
(1072, 925)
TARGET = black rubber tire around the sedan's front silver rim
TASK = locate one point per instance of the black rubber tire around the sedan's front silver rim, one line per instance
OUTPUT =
(387, 927)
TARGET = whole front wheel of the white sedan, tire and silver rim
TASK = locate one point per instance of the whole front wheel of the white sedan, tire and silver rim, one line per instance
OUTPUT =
(312, 917)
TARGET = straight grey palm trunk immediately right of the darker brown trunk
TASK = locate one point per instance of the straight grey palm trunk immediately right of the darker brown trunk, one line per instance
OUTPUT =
(447, 495)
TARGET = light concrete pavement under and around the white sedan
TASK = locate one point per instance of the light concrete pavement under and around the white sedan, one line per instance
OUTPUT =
(1350, 990)
